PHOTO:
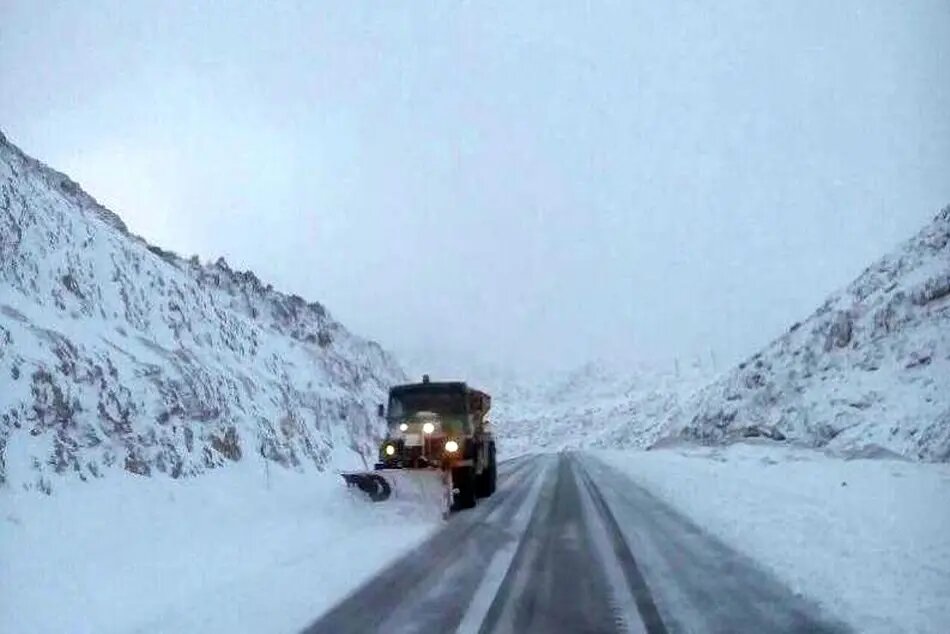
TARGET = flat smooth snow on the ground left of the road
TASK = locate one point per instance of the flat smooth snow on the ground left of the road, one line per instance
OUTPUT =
(242, 549)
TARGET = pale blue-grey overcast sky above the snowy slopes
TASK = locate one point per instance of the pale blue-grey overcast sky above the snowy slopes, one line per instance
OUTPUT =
(532, 184)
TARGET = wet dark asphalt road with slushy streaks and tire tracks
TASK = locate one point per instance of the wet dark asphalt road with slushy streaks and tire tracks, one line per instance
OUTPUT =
(567, 544)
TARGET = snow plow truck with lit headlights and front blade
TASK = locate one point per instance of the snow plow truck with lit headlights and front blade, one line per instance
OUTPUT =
(438, 447)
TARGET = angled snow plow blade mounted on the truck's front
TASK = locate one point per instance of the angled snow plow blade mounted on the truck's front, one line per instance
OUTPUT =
(431, 487)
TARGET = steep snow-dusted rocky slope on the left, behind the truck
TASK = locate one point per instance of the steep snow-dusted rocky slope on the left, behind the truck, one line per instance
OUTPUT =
(116, 354)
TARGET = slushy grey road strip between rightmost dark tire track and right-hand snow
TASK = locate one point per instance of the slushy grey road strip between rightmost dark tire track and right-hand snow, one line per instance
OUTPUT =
(697, 582)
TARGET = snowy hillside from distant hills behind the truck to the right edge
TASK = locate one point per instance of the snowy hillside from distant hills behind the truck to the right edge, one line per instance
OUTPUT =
(868, 373)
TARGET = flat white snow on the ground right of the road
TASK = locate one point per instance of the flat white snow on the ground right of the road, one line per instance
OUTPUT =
(869, 540)
